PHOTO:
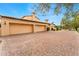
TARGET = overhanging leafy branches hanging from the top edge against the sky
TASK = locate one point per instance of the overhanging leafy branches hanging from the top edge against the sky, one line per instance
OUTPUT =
(45, 7)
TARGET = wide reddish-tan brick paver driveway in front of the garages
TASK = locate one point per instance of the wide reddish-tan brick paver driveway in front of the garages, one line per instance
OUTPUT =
(44, 43)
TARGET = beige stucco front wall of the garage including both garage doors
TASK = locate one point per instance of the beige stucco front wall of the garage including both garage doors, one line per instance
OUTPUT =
(12, 26)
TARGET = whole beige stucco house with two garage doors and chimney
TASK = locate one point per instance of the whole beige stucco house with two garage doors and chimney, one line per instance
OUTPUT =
(27, 24)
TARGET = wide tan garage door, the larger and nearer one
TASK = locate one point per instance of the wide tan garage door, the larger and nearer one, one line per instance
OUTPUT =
(20, 28)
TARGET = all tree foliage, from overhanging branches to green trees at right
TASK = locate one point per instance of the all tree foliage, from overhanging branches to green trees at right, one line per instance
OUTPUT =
(66, 22)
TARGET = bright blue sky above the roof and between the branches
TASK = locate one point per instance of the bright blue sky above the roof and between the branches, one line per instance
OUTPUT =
(23, 9)
